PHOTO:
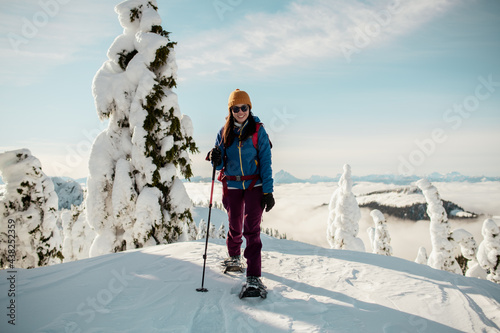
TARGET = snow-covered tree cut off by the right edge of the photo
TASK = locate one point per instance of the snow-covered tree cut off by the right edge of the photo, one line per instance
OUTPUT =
(488, 254)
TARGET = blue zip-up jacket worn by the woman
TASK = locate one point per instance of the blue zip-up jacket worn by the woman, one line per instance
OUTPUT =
(245, 160)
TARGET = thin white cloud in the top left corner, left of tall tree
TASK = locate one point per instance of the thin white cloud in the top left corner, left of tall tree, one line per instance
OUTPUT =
(39, 35)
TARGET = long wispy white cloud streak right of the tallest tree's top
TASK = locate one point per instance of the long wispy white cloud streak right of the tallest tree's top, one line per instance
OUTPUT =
(305, 32)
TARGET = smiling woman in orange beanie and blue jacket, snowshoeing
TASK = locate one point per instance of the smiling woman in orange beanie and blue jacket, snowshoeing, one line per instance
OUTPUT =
(243, 154)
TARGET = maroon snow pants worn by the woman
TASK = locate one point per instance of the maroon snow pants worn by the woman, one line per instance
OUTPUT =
(245, 214)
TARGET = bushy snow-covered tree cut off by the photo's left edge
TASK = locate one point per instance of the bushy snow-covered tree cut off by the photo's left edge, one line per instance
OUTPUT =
(29, 212)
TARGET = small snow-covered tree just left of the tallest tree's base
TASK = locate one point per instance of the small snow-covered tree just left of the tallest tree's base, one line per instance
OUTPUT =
(78, 235)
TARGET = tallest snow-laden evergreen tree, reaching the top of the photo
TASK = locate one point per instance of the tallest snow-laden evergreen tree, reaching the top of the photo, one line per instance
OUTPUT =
(134, 196)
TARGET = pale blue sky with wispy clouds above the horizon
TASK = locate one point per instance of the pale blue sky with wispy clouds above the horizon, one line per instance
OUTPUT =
(386, 86)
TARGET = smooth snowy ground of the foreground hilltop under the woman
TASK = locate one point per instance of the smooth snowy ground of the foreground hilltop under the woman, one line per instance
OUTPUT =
(311, 289)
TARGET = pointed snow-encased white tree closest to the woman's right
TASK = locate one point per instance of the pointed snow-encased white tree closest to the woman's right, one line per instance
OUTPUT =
(344, 216)
